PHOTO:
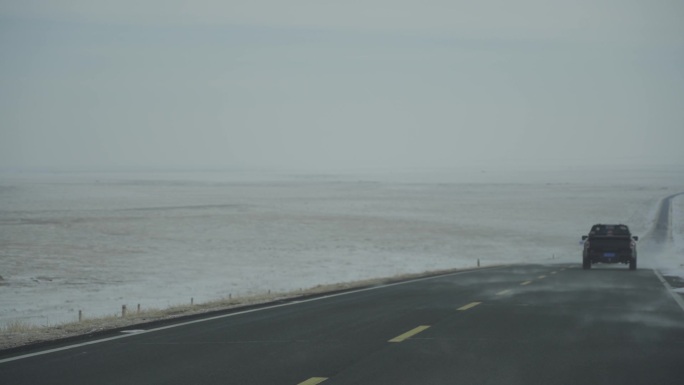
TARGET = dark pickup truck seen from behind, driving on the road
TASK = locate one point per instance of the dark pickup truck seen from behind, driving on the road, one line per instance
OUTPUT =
(609, 244)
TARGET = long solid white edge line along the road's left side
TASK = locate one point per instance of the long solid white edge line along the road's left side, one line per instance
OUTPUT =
(2, 361)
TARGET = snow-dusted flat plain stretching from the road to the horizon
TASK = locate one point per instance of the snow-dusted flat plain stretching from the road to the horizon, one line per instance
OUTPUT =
(92, 242)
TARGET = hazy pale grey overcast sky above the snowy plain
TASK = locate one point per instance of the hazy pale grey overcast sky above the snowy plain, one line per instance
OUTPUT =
(339, 84)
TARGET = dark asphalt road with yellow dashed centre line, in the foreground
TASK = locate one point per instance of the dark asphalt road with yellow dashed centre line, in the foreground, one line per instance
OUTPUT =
(536, 324)
